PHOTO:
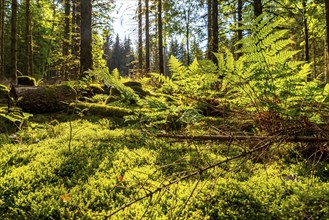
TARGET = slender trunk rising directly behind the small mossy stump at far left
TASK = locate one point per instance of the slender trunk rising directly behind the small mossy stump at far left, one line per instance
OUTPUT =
(28, 40)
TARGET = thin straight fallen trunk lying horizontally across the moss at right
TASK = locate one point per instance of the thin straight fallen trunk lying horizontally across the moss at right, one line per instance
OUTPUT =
(223, 138)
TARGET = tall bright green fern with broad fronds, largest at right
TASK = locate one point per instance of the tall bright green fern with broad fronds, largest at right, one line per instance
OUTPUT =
(266, 77)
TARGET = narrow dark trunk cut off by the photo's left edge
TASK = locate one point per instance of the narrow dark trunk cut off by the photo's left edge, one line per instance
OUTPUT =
(2, 39)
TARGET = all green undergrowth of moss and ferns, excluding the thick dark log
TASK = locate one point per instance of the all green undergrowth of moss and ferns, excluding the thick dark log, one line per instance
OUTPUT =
(247, 139)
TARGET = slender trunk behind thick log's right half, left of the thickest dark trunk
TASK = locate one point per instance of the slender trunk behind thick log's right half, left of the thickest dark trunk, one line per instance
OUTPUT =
(66, 40)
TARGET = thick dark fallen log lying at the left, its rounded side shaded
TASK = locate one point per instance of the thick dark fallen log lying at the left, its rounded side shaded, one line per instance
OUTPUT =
(42, 99)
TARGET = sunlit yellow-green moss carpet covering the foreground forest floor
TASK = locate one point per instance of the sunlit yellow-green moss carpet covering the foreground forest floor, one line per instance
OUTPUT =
(83, 165)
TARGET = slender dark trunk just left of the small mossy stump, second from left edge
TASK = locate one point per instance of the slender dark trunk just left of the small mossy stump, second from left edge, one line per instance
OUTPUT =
(13, 49)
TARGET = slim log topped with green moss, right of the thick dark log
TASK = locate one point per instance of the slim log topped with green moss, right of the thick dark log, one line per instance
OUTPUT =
(101, 109)
